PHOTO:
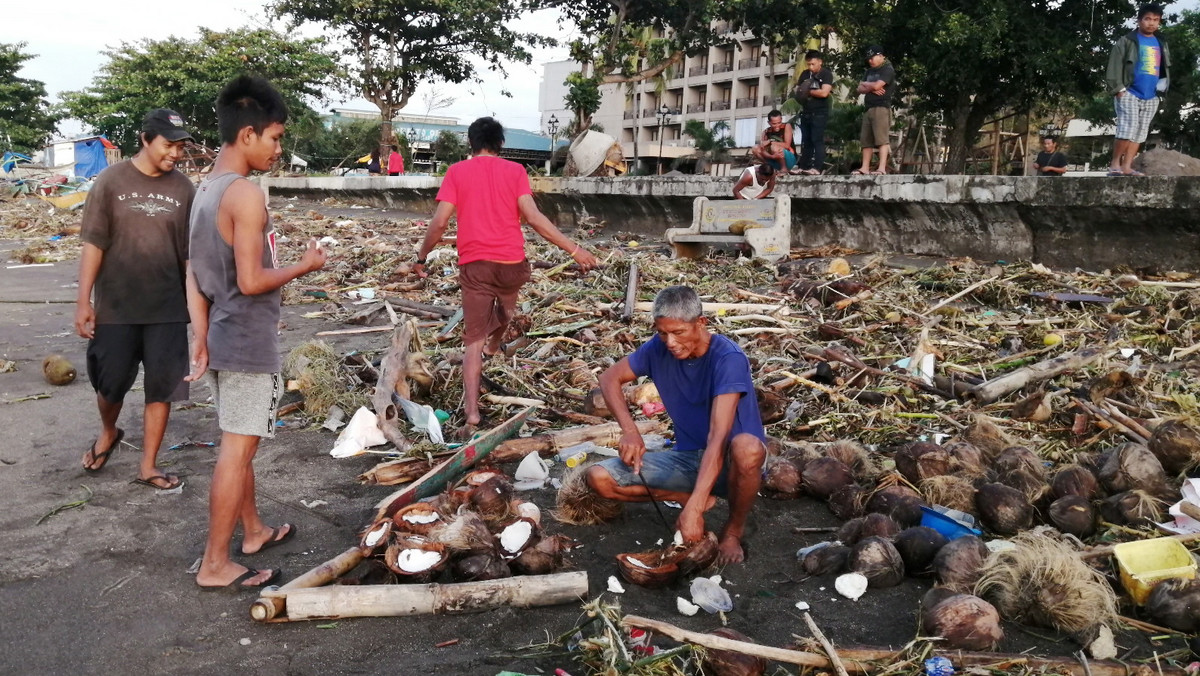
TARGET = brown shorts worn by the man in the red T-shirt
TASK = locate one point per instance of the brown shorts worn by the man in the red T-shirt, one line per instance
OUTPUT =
(490, 296)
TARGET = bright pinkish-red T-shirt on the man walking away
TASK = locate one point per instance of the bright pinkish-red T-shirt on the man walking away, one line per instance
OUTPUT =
(484, 192)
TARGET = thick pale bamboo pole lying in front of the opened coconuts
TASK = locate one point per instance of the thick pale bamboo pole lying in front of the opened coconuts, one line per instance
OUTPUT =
(400, 601)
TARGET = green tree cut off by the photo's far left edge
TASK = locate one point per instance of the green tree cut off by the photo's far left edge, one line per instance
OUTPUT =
(27, 119)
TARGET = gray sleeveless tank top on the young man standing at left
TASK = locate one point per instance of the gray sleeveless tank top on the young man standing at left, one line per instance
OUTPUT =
(243, 330)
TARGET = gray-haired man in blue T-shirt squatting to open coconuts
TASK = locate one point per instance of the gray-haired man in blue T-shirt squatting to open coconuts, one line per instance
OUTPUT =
(707, 391)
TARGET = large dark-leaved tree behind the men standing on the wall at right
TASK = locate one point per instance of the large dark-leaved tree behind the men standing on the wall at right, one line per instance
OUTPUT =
(963, 62)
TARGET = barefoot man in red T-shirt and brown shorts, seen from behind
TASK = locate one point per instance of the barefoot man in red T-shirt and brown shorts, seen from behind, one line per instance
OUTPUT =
(490, 196)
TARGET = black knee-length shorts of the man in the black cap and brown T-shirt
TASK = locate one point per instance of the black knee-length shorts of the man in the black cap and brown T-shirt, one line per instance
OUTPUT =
(116, 351)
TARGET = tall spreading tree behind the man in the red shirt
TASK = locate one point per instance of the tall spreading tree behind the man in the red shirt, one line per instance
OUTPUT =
(397, 45)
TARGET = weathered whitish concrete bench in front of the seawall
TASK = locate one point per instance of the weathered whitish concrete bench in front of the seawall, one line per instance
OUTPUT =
(764, 225)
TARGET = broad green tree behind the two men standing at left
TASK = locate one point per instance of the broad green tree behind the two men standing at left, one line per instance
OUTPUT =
(188, 75)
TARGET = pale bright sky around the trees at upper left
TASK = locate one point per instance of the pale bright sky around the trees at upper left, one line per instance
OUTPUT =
(70, 37)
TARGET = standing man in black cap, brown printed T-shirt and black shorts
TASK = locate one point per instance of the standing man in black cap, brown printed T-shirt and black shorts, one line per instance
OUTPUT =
(135, 254)
